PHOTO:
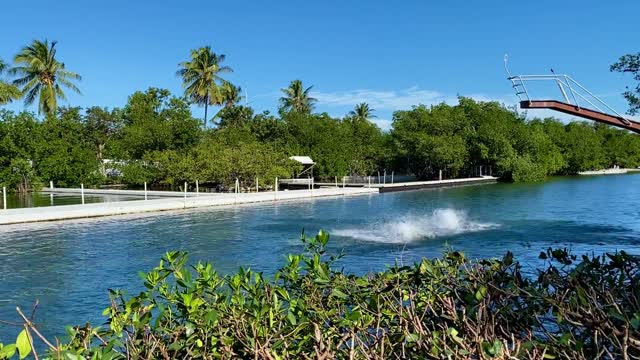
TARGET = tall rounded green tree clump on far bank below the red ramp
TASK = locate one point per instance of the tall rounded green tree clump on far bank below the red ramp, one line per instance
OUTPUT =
(459, 139)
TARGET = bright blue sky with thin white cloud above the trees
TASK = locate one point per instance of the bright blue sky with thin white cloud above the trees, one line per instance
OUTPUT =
(390, 54)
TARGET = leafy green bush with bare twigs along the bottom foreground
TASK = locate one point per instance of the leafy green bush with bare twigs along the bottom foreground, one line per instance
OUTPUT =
(443, 308)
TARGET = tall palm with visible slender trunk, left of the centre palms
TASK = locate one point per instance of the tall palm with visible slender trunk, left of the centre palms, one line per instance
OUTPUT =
(200, 78)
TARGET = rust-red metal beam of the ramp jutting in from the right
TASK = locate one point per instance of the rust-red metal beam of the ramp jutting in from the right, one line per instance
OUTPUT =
(582, 112)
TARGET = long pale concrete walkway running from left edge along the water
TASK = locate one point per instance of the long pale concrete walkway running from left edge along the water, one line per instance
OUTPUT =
(51, 213)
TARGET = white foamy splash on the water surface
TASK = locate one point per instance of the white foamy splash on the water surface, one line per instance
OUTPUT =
(441, 222)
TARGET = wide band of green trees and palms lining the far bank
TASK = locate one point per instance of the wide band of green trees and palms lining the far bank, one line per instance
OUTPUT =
(154, 137)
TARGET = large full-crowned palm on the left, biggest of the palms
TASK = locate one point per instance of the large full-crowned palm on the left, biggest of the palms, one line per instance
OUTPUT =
(42, 75)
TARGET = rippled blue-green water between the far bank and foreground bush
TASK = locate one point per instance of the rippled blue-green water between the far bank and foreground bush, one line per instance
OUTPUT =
(69, 266)
